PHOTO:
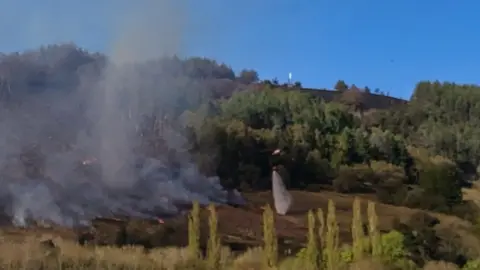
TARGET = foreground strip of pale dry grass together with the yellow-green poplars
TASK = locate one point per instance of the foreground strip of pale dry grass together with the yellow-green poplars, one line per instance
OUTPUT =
(370, 249)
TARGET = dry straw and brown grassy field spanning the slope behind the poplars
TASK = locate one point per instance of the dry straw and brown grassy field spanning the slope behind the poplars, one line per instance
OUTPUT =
(240, 230)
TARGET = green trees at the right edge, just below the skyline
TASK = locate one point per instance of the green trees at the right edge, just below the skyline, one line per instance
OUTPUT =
(441, 117)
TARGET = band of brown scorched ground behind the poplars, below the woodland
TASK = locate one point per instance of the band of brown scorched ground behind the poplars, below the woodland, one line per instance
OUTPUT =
(240, 227)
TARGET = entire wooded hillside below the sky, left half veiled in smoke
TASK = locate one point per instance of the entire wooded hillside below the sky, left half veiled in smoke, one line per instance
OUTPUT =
(87, 137)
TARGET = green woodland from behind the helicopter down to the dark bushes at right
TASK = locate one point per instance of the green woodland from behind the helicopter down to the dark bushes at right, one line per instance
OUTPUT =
(323, 143)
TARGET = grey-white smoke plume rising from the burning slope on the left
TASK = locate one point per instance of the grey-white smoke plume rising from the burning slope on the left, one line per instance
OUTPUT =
(121, 182)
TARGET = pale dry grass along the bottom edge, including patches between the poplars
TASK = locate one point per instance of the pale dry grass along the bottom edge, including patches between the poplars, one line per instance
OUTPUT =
(30, 254)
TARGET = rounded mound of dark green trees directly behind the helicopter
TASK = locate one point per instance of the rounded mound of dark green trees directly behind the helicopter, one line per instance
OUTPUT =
(318, 137)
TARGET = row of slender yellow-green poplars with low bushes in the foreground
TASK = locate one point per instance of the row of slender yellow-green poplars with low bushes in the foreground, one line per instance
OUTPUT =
(410, 246)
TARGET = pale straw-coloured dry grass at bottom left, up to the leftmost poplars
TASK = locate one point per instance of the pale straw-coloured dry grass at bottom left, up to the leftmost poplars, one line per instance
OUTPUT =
(31, 254)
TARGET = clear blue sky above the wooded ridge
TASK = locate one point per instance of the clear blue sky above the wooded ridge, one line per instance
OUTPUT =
(386, 44)
